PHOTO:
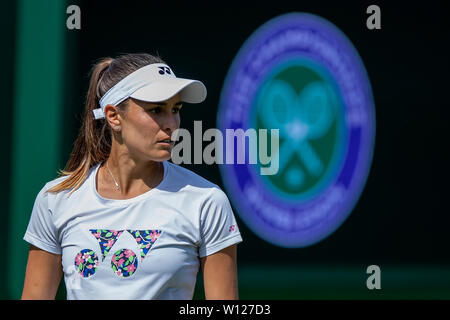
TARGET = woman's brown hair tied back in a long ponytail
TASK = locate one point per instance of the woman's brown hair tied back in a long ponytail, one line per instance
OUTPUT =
(93, 144)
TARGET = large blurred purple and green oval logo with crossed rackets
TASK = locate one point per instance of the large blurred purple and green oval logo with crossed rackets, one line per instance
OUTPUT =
(299, 74)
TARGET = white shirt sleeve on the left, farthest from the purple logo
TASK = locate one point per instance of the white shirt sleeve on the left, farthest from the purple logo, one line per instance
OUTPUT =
(41, 231)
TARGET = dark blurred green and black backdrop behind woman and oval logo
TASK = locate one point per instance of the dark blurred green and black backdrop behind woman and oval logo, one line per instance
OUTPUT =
(401, 221)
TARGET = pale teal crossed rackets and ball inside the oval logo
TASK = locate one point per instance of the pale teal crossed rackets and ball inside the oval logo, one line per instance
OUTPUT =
(300, 118)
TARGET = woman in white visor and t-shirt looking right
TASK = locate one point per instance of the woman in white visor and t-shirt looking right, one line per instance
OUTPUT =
(122, 222)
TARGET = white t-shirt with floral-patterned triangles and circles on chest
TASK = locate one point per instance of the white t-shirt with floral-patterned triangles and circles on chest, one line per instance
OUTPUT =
(146, 247)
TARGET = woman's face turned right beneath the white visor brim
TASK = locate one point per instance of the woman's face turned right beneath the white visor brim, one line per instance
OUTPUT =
(147, 128)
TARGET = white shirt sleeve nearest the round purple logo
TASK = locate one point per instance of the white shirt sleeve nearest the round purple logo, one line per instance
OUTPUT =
(218, 224)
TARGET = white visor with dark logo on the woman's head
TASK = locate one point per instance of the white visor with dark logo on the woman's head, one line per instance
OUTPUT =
(153, 83)
